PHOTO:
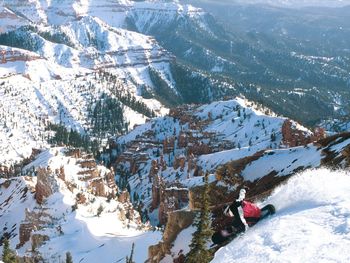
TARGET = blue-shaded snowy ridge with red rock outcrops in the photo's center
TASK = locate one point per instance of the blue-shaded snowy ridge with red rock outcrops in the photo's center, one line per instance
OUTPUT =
(194, 140)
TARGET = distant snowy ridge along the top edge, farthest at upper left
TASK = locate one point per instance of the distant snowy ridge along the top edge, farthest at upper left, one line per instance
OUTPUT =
(114, 12)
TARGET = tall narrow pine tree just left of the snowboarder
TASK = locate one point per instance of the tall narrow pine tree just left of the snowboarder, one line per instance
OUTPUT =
(199, 251)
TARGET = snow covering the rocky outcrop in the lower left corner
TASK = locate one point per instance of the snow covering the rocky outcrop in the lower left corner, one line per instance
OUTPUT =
(89, 238)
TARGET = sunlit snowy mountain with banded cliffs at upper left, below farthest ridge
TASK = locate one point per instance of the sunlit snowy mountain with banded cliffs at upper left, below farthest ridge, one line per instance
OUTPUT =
(50, 78)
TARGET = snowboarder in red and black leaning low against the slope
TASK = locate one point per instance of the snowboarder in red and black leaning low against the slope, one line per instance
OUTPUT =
(244, 214)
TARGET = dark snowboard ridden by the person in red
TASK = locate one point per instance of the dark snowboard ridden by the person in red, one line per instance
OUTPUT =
(227, 234)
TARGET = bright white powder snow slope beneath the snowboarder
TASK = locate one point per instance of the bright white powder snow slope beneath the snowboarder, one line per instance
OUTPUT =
(312, 223)
